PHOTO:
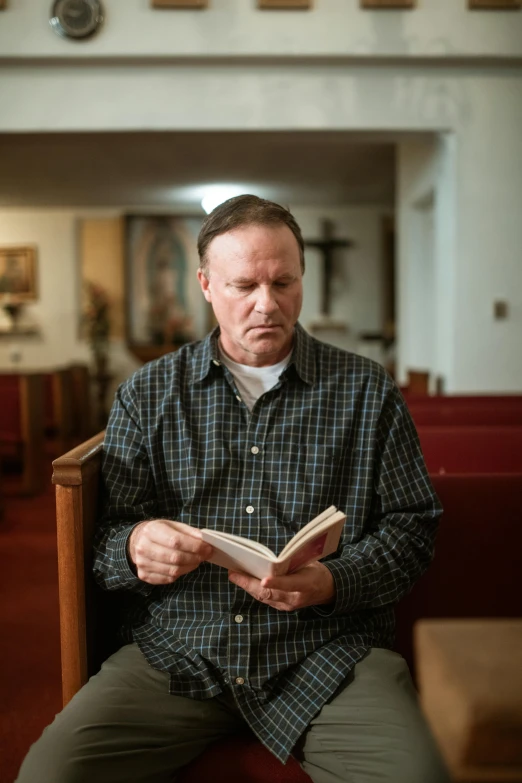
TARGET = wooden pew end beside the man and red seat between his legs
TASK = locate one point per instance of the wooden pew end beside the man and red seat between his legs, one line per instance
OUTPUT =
(89, 616)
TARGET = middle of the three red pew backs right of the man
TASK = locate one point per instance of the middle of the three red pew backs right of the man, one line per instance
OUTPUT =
(472, 449)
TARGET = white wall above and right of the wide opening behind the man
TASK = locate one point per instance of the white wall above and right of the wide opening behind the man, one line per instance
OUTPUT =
(188, 70)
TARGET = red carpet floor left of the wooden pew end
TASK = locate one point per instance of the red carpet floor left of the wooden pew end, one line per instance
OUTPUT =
(30, 689)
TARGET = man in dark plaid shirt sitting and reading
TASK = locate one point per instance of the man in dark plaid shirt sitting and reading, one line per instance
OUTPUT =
(254, 431)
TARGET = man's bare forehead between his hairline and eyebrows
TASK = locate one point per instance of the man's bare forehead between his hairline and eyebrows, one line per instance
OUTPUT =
(254, 245)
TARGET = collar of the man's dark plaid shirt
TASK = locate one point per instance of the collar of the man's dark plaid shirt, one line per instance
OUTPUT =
(206, 355)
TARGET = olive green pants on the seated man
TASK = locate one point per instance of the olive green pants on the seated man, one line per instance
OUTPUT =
(124, 727)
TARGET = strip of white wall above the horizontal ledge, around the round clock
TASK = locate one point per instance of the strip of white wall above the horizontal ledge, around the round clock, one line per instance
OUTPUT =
(438, 29)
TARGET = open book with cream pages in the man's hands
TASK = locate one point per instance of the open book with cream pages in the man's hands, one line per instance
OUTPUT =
(315, 540)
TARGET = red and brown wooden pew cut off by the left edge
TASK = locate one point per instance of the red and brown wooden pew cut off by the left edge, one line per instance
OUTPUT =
(22, 427)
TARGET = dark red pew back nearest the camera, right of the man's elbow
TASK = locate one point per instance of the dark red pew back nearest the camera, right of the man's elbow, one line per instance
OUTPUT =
(478, 555)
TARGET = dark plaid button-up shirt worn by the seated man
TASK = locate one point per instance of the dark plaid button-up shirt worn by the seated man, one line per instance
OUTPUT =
(180, 444)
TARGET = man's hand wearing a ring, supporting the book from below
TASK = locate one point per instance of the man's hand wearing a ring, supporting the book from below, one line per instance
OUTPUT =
(310, 586)
